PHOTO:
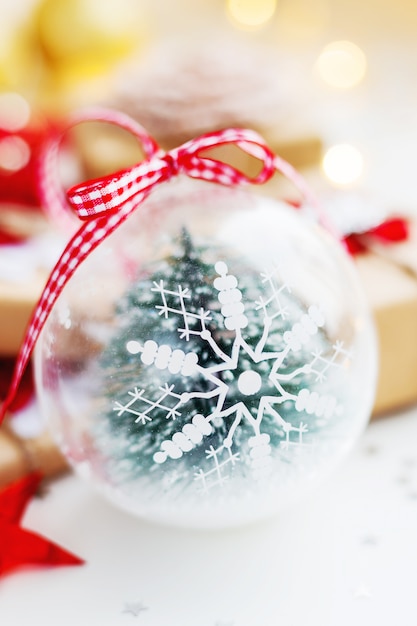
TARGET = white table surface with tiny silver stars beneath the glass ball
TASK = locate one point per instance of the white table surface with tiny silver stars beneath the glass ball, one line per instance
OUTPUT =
(346, 555)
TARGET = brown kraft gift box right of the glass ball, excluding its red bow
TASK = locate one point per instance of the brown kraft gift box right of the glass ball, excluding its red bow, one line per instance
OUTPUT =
(389, 274)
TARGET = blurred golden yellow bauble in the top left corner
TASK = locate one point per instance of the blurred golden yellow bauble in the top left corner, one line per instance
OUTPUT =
(63, 51)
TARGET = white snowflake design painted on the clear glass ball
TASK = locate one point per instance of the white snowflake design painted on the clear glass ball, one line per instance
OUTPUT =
(185, 364)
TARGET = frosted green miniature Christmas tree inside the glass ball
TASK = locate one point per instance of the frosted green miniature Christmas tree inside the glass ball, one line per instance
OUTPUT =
(211, 369)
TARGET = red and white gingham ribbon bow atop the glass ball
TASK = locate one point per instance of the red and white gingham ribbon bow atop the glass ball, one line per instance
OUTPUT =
(103, 204)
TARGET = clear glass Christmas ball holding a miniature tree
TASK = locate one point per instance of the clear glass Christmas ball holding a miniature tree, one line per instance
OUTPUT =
(211, 360)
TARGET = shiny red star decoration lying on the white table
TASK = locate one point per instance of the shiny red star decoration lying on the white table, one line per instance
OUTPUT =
(20, 547)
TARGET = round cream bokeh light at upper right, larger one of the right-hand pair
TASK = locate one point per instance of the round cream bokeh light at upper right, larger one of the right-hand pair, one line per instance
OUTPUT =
(341, 64)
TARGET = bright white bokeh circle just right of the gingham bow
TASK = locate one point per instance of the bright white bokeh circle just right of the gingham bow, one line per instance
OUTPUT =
(343, 164)
